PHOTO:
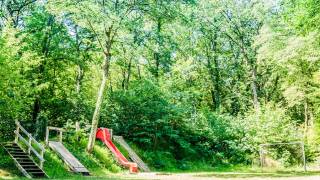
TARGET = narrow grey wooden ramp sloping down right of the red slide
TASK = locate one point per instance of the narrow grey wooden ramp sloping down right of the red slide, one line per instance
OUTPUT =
(133, 156)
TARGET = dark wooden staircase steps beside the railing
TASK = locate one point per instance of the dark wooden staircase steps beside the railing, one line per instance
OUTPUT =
(24, 162)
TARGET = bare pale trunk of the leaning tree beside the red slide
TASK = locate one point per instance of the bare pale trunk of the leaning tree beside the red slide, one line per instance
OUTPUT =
(96, 114)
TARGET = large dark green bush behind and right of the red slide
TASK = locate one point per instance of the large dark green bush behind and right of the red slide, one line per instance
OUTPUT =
(144, 115)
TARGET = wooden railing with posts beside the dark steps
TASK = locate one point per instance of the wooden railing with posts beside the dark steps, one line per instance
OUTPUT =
(30, 142)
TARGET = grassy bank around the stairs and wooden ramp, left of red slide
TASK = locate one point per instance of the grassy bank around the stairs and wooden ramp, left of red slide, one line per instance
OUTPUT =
(100, 164)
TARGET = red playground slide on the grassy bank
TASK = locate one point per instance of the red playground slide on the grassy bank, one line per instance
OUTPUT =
(103, 134)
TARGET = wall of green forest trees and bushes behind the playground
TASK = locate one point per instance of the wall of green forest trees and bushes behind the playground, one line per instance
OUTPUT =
(189, 82)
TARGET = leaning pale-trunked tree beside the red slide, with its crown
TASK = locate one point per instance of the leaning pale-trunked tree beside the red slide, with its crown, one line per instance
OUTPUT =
(104, 19)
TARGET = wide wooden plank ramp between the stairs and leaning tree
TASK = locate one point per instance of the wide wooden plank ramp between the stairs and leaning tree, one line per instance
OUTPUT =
(68, 158)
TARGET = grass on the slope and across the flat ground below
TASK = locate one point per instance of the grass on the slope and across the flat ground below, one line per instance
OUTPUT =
(102, 166)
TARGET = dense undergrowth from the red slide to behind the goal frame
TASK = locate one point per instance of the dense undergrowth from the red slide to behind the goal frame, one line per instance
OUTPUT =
(176, 136)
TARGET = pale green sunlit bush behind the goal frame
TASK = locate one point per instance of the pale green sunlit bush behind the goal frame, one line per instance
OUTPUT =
(270, 125)
